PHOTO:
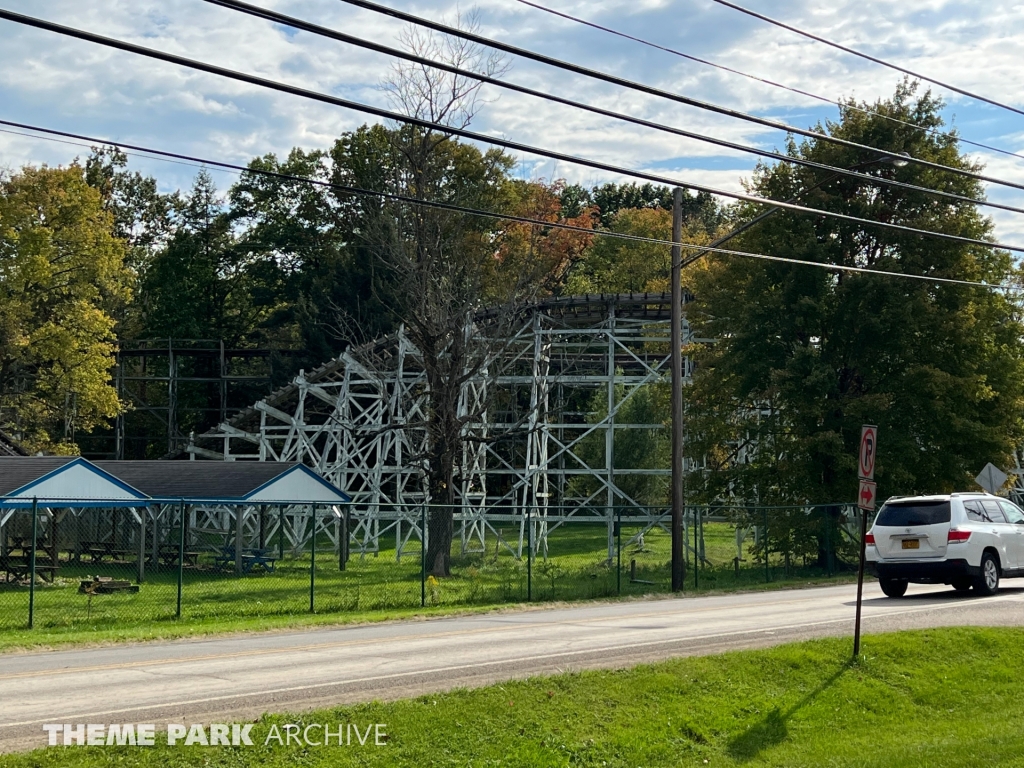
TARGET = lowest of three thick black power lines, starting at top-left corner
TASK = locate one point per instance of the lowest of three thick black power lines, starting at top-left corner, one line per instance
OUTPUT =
(473, 136)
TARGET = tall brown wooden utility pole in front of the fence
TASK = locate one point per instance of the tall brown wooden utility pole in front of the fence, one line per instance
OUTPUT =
(678, 503)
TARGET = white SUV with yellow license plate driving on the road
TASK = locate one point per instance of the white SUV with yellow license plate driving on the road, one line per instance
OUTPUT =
(966, 540)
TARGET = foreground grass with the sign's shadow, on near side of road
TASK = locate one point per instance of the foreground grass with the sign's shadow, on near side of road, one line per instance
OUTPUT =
(934, 698)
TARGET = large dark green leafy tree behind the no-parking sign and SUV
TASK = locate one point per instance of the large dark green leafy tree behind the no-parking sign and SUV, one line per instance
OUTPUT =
(804, 357)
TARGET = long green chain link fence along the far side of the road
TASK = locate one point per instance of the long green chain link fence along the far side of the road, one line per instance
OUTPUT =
(101, 569)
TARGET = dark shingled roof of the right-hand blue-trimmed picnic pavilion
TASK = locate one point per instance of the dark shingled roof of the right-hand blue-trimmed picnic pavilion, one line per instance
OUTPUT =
(166, 480)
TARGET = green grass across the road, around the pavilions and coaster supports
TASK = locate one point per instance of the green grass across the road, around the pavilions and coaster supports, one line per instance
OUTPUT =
(372, 588)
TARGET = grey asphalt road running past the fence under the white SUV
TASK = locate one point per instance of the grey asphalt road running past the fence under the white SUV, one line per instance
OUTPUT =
(229, 679)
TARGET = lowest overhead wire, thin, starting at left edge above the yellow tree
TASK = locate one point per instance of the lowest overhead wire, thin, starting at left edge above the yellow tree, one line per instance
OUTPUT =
(701, 249)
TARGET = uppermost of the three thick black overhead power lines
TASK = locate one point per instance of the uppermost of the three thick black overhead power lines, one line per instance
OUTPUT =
(641, 88)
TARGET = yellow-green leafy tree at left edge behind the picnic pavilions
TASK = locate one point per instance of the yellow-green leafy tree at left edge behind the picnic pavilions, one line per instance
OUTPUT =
(62, 275)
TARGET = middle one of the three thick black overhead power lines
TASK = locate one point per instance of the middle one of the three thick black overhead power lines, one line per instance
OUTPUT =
(300, 24)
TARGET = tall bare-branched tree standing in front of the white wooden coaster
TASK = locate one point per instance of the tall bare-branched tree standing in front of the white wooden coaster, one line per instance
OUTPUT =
(441, 264)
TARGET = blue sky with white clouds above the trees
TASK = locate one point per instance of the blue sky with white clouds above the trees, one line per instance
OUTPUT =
(70, 86)
